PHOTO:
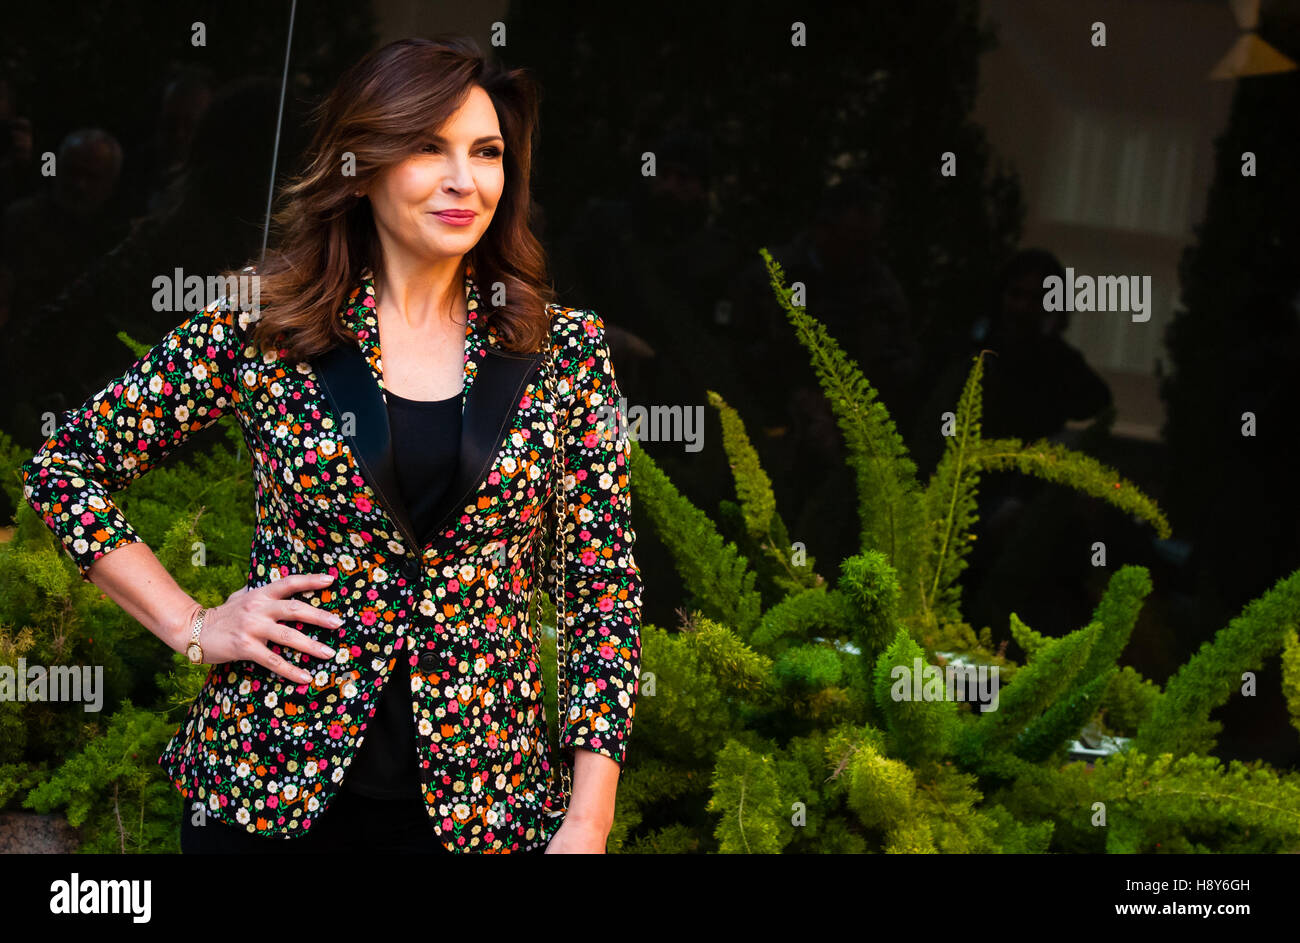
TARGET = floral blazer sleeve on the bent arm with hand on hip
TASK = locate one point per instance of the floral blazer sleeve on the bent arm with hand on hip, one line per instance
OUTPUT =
(183, 386)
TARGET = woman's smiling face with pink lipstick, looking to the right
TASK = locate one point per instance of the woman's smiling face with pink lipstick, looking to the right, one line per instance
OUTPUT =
(461, 170)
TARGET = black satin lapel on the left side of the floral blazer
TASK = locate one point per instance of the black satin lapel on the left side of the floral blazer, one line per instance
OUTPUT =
(350, 387)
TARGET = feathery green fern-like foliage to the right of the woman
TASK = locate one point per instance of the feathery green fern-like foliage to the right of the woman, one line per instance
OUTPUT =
(898, 775)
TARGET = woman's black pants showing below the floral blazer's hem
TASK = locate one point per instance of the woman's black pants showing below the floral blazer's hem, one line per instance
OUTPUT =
(352, 824)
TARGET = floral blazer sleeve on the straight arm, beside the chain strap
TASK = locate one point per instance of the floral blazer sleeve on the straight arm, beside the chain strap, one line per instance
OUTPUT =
(603, 583)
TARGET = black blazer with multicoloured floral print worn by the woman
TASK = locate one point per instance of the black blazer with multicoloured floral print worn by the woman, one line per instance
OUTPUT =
(448, 618)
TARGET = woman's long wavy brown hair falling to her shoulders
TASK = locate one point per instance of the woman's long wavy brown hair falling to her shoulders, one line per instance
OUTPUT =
(382, 111)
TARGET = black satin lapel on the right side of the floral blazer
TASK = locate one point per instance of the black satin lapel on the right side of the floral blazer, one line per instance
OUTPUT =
(492, 401)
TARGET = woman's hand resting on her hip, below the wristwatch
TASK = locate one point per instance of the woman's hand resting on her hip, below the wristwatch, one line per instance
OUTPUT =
(242, 626)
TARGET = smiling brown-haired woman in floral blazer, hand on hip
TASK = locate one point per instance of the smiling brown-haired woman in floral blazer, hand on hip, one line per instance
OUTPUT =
(378, 684)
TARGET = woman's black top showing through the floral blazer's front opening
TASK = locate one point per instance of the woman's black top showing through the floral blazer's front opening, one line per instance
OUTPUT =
(426, 449)
